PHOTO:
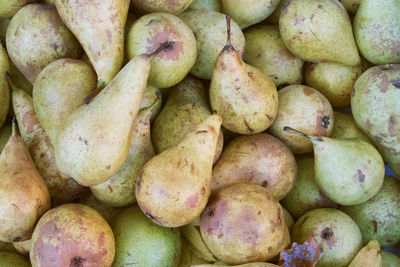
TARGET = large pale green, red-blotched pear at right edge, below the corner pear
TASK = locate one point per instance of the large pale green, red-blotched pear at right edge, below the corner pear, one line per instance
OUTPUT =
(376, 110)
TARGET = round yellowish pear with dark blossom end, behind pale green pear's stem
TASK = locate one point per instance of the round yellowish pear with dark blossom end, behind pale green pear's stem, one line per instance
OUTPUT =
(303, 108)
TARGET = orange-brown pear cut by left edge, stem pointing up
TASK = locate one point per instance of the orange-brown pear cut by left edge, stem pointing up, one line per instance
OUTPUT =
(24, 198)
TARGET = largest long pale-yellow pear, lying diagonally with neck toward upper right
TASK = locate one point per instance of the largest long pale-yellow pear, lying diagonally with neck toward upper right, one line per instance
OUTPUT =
(93, 143)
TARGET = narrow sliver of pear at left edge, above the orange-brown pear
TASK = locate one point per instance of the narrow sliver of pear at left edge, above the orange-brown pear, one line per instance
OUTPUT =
(4, 88)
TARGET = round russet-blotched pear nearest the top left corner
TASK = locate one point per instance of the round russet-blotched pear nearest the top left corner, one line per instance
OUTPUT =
(36, 37)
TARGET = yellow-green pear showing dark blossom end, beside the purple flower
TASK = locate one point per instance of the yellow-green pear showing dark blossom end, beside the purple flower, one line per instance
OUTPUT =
(334, 231)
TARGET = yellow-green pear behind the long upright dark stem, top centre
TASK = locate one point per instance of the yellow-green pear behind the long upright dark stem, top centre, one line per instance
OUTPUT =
(210, 30)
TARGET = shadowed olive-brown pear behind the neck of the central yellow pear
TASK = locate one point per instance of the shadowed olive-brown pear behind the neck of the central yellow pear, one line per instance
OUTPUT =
(184, 109)
